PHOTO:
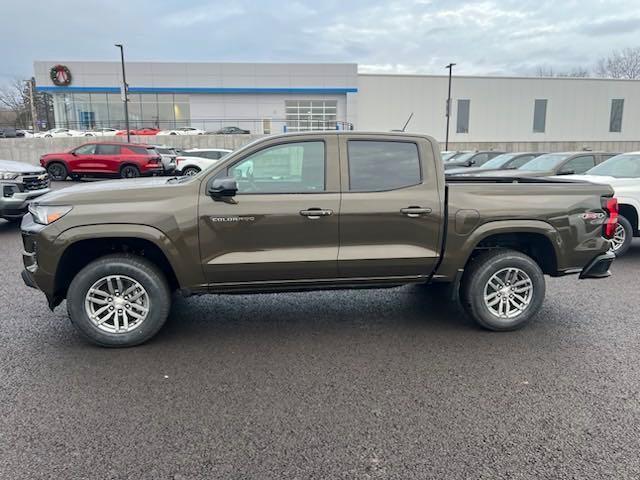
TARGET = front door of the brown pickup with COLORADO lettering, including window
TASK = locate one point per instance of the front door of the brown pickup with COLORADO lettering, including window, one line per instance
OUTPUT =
(282, 225)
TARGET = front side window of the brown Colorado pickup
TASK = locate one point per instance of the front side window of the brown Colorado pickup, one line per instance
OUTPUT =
(289, 168)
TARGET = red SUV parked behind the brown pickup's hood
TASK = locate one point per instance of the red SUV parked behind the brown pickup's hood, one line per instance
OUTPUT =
(126, 160)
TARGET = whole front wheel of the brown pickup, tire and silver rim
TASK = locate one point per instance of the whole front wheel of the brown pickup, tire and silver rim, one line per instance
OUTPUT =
(119, 300)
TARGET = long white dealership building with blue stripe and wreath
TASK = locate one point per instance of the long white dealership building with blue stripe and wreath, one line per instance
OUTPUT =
(276, 97)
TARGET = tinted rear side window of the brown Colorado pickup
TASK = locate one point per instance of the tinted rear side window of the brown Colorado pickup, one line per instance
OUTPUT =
(378, 166)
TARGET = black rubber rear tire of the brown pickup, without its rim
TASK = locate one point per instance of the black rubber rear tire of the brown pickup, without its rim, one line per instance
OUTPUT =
(476, 277)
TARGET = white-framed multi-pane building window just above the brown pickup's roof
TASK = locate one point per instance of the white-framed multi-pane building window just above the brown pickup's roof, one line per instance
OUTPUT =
(304, 115)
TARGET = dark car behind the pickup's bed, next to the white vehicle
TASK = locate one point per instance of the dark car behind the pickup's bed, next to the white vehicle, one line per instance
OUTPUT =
(561, 163)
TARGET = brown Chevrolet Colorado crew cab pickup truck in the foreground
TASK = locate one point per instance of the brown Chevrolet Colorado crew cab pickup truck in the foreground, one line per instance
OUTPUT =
(311, 211)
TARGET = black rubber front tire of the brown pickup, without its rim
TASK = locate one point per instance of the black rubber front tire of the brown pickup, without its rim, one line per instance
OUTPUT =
(139, 269)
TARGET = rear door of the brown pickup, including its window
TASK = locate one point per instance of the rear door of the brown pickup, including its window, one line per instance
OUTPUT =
(391, 211)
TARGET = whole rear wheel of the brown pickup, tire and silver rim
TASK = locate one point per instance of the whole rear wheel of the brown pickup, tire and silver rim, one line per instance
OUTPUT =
(502, 289)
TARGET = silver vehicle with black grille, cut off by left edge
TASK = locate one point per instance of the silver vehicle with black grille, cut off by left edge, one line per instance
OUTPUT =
(19, 184)
